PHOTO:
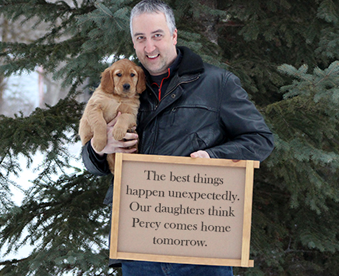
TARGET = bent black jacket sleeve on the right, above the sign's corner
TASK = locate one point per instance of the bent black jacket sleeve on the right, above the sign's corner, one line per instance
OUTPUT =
(250, 139)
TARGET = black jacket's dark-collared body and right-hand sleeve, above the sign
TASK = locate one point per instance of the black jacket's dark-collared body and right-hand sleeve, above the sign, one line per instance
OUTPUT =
(203, 108)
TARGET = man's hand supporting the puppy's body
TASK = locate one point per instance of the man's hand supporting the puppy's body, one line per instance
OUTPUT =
(113, 146)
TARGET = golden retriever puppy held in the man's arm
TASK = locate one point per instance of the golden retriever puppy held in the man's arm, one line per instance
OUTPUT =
(118, 91)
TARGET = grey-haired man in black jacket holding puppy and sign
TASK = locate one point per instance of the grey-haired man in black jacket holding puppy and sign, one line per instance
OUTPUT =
(190, 108)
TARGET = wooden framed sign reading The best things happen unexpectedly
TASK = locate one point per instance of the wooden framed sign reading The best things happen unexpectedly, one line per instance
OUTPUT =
(182, 210)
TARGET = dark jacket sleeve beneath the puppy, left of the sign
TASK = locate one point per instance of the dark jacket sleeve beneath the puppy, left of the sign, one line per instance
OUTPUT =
(94, 163)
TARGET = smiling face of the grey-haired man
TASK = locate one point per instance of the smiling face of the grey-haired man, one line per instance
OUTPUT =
(153, 42)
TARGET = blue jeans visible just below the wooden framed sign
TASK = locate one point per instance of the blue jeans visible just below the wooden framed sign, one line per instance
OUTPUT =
(138, 268)
